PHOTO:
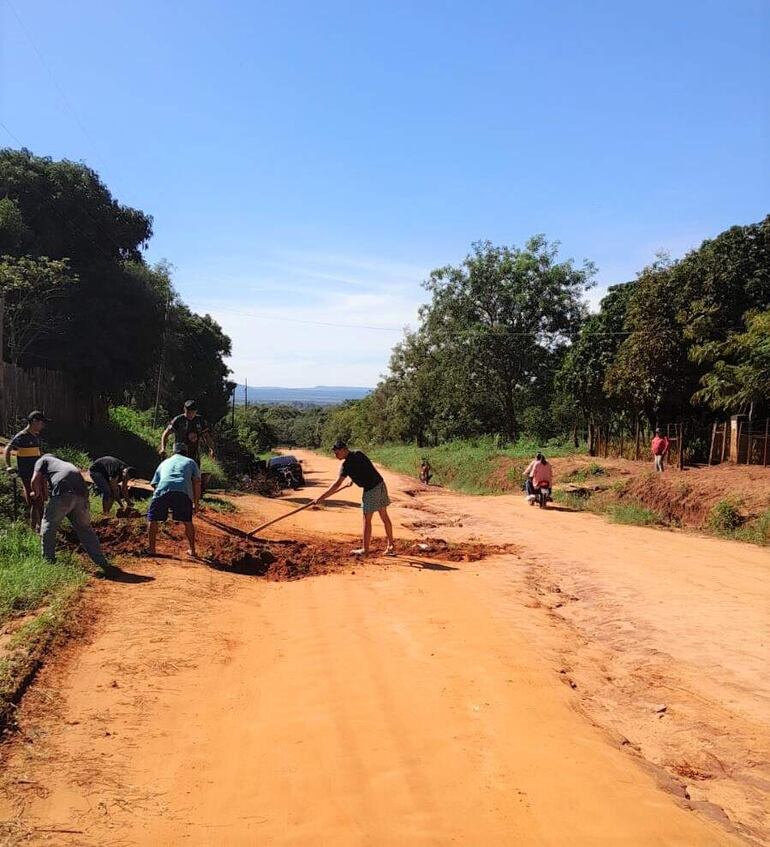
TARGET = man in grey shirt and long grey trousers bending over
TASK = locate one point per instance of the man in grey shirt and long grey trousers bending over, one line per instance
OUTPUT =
(62, 484)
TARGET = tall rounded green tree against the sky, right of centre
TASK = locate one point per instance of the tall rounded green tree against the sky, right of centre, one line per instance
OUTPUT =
(496, 325)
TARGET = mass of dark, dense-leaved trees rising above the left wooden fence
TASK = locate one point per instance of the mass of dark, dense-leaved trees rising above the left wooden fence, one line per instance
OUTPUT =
(104, 315)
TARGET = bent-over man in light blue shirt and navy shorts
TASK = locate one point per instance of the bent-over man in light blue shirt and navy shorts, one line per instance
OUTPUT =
(177, 484)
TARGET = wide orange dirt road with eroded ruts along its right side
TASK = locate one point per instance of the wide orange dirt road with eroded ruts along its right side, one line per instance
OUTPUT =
(564, 694)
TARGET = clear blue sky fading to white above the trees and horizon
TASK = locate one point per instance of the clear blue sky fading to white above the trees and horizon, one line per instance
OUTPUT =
(314, 161)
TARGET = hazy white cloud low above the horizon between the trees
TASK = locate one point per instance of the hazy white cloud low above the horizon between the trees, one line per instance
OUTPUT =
(287, 331)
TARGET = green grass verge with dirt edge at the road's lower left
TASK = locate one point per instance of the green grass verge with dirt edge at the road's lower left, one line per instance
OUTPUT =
(36, 602)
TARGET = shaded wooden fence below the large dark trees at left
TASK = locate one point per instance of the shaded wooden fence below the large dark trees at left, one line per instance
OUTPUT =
(53, 392)
